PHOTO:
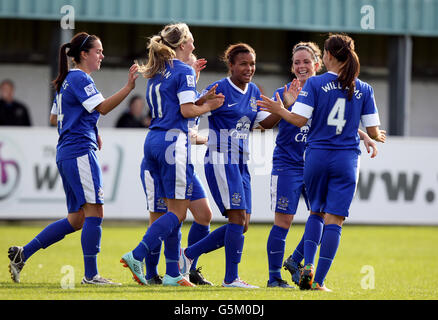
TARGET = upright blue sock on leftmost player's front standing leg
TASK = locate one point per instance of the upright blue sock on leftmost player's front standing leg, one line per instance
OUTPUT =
(90, 240)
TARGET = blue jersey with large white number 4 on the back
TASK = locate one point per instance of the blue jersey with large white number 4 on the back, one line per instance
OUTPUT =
(335, 119)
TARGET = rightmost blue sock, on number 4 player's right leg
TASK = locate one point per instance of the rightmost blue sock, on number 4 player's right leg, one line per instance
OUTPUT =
(329, 246)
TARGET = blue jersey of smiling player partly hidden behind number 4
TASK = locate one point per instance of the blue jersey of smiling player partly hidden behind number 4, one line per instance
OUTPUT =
(290, 144)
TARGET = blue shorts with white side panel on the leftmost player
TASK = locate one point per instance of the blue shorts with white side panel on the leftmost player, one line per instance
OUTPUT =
(82, 181)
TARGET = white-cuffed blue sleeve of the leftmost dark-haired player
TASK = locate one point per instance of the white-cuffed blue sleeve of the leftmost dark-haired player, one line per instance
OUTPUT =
(86, 92)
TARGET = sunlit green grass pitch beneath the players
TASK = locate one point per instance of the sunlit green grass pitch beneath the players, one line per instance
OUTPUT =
(372, 263)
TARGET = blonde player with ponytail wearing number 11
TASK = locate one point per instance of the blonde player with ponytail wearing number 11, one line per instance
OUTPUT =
(171, 95)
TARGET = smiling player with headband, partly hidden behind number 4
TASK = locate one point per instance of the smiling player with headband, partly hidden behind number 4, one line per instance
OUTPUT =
(287, 182)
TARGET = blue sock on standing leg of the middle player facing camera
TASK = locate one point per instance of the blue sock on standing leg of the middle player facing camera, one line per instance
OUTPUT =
(234, 240)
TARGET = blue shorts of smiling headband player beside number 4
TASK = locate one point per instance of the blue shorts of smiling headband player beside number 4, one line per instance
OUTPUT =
(286, 189)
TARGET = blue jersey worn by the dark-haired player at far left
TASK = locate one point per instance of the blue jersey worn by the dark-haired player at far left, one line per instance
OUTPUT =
(77, 118)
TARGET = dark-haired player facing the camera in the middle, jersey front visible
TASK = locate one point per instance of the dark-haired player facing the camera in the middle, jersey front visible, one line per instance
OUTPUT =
(226, 159)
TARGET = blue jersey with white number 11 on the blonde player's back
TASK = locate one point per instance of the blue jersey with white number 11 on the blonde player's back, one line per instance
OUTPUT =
(166, 92)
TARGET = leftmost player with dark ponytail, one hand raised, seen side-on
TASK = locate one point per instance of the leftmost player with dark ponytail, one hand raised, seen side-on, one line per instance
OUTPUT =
(79, 105)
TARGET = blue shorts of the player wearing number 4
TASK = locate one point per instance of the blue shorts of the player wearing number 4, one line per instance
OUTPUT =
(331, 179)
